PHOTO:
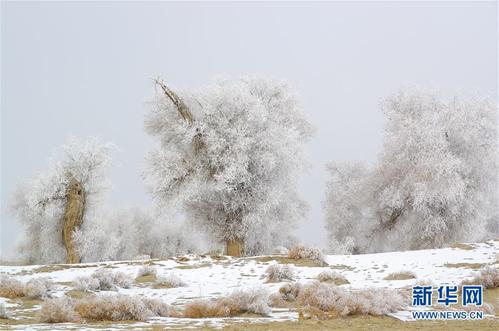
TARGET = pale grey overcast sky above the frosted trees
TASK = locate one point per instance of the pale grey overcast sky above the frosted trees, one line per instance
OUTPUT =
(86, 68)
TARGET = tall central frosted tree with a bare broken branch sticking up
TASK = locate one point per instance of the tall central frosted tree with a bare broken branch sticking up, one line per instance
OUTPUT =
(230, 154)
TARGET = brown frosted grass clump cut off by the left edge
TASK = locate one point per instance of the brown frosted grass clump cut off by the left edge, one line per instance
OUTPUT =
(35, 288)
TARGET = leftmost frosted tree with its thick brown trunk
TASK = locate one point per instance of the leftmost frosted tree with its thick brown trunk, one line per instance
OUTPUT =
(53, 205)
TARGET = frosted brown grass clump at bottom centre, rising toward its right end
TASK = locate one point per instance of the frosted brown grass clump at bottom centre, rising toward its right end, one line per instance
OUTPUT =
(239, 302)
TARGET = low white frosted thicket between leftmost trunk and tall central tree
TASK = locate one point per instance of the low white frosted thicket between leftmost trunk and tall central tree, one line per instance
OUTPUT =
(131, 233)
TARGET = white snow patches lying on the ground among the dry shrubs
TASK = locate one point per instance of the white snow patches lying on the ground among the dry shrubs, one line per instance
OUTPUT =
(207, 277)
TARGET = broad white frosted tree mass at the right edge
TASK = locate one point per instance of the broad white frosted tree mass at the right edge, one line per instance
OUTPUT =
(435, 181)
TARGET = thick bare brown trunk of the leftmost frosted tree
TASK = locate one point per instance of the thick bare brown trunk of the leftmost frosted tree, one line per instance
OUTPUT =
(73, 218)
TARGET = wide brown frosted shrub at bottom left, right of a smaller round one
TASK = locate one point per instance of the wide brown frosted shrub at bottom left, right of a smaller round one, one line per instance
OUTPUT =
(112, 308)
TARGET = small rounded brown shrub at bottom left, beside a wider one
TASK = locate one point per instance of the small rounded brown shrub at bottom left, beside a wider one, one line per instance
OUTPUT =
(58, 310)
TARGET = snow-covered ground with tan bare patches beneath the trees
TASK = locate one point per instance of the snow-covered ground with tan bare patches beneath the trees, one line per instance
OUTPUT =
(207, 277)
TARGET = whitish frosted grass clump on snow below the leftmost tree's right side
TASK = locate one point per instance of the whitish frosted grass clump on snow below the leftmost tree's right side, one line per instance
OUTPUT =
(103, 280)
